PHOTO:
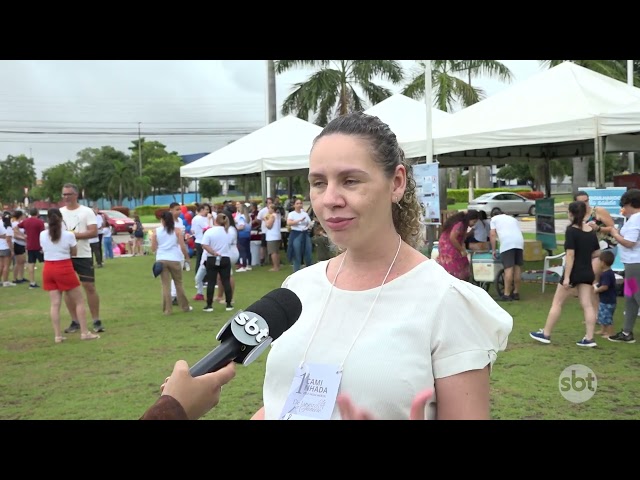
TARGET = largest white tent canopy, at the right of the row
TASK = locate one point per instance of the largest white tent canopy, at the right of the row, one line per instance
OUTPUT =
(554, 114)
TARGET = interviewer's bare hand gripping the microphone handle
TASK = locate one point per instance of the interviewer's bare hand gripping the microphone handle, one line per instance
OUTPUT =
(200, 394)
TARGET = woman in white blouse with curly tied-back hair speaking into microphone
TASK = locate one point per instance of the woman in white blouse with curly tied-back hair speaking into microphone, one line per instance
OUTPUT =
(380, 323)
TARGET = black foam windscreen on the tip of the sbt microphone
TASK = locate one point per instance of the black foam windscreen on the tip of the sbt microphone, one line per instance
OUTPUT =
(280, 308)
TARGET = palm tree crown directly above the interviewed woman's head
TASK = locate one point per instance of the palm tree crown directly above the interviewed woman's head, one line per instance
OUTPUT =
(331, 90)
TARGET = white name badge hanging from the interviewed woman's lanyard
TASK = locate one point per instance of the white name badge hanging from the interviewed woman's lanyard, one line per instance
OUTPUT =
(313, 393)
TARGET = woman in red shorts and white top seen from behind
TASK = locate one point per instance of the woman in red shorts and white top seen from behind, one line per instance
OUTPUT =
(59, 276)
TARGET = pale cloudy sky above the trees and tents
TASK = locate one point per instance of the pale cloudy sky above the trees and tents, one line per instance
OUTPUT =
(51, 110)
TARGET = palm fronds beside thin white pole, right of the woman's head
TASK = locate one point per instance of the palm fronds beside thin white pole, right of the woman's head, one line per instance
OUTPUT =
(449, 88)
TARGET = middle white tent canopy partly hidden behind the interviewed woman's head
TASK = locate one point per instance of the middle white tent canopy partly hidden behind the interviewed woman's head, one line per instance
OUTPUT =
(407, 118)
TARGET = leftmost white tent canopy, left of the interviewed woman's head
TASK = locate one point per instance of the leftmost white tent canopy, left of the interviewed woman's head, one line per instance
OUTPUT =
(283, 145)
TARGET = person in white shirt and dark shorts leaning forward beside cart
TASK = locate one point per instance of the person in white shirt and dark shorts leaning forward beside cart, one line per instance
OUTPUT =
(506, 229)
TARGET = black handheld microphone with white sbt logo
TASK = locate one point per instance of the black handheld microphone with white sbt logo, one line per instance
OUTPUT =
(246, 335)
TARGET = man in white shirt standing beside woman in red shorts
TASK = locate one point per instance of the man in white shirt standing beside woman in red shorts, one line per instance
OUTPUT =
(81, 221)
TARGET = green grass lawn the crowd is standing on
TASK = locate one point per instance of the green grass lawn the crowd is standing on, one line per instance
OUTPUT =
(118, 376)
